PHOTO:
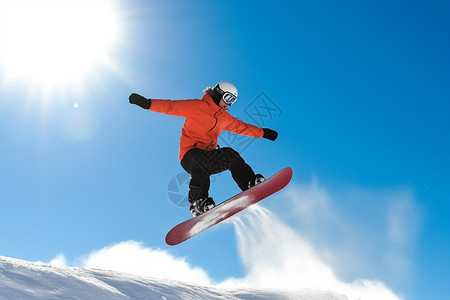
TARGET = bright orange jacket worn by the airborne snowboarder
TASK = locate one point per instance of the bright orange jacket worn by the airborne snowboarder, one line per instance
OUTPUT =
(204, 122)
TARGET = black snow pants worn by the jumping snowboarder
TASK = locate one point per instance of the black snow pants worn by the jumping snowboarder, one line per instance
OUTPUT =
(202, 164)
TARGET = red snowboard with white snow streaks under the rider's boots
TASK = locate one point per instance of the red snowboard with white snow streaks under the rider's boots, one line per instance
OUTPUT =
(228, 208)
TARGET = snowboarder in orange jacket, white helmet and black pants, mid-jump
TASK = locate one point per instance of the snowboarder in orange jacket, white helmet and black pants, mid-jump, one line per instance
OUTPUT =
(200, 154)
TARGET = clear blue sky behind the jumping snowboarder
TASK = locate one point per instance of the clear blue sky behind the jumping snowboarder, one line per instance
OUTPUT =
(362, 91)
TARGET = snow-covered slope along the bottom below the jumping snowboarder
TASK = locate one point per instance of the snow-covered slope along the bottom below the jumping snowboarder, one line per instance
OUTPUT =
(27, 280)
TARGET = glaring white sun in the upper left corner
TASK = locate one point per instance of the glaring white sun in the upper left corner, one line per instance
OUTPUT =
(55, 44)
